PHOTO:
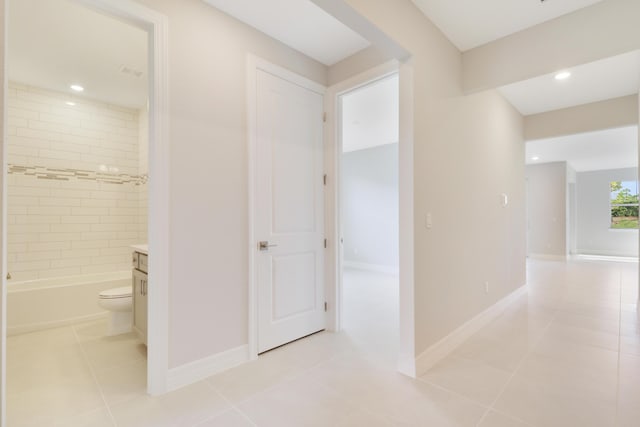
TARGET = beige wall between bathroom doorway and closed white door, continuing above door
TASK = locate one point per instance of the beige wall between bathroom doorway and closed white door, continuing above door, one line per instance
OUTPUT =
(208, 283)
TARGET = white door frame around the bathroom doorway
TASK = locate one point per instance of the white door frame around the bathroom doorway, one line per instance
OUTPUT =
(156, 25)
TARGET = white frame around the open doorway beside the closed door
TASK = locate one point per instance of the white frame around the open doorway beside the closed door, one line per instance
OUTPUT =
(406, 355)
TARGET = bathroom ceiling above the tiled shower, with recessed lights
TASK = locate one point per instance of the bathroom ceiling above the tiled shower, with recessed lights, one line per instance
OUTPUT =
(56, 43)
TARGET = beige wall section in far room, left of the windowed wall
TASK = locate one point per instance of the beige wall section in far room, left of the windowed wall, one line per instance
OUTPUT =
(547, 210)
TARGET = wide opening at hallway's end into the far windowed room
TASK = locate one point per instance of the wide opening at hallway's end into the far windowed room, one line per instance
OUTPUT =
(582, 195)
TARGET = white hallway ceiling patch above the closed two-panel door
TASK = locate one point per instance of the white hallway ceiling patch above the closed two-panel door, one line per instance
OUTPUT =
(299, 24)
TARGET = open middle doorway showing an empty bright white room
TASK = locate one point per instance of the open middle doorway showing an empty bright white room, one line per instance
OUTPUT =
(369, 215)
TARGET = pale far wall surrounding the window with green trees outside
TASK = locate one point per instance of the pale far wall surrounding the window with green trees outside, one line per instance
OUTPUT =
(595, 237)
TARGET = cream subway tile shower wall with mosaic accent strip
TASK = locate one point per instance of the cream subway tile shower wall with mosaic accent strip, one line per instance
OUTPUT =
(77, 186)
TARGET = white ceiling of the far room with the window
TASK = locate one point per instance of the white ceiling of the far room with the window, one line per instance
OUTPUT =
(607, 149)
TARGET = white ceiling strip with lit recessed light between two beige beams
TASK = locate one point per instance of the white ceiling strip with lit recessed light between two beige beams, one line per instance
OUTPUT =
(609, 78)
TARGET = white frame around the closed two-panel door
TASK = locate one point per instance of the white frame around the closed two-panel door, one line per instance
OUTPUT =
(255, 63)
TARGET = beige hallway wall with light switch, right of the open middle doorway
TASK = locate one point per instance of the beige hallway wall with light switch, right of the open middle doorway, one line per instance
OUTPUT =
(468, 150)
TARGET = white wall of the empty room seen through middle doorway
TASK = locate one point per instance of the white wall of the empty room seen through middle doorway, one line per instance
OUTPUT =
(370, 207)
